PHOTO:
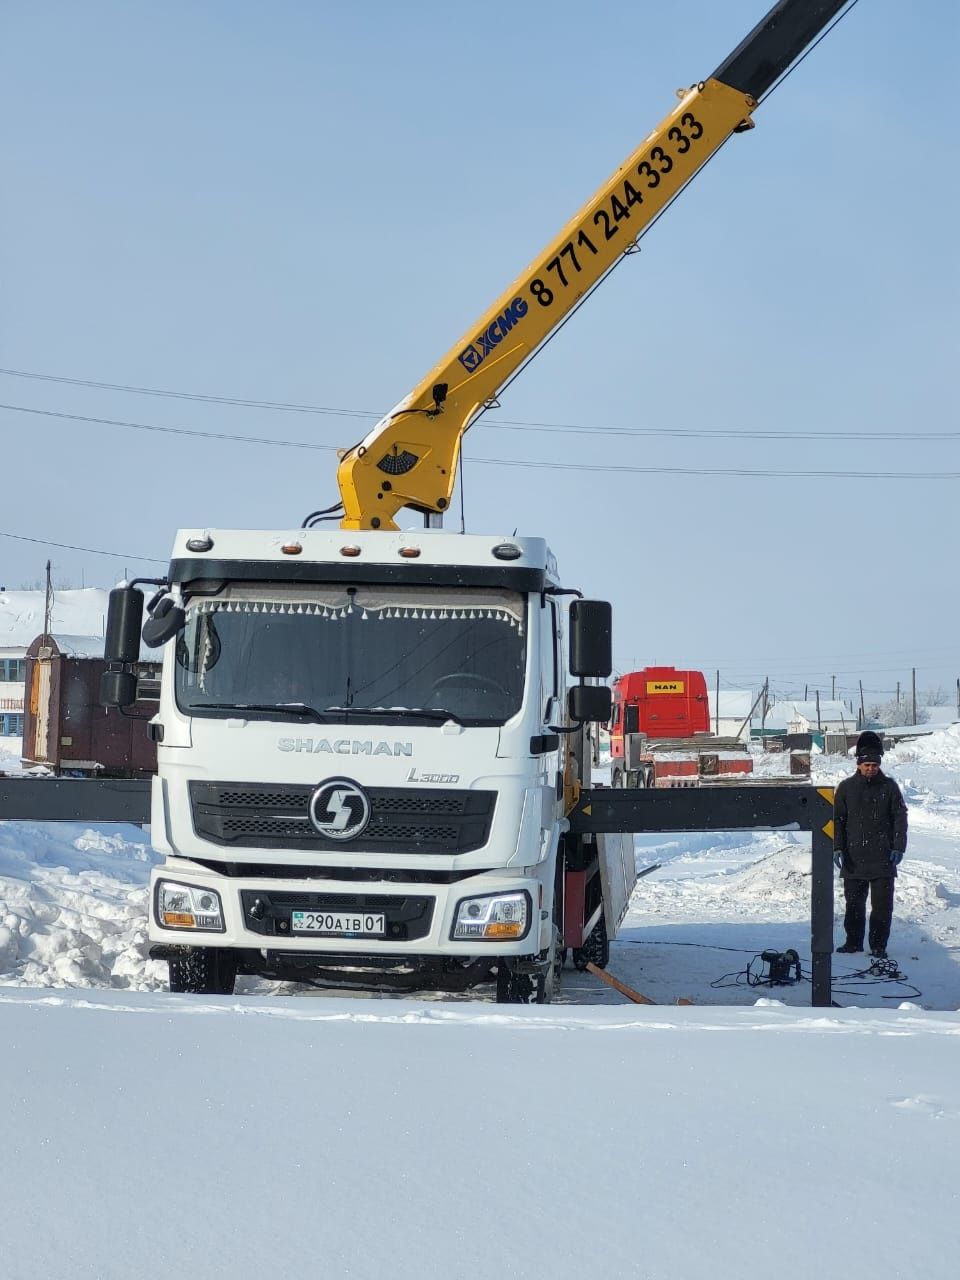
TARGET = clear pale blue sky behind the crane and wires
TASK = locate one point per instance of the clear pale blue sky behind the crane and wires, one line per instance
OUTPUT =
(310, 203)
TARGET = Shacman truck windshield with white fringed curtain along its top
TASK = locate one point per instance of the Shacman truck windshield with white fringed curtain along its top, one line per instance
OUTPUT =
(335, 653)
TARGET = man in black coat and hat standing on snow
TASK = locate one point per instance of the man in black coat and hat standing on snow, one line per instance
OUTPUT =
(870, 842)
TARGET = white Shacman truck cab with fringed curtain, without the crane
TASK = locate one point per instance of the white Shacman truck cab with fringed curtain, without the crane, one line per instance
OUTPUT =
(363, 761)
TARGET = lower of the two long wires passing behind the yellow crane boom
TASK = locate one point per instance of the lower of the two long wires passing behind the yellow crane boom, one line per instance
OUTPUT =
(766, 473)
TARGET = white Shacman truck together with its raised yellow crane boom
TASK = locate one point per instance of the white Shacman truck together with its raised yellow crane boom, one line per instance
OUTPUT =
(367, 746)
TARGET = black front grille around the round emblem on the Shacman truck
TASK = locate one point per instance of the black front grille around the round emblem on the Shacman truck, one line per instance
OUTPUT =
(403, 821)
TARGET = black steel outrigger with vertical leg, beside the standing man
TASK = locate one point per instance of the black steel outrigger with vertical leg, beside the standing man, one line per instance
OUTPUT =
(752, 807)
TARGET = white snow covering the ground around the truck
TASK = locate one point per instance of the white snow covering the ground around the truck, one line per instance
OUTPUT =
(287, 1131)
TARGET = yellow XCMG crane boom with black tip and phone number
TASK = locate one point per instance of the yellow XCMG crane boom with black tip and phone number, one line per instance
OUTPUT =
(410, 458)
